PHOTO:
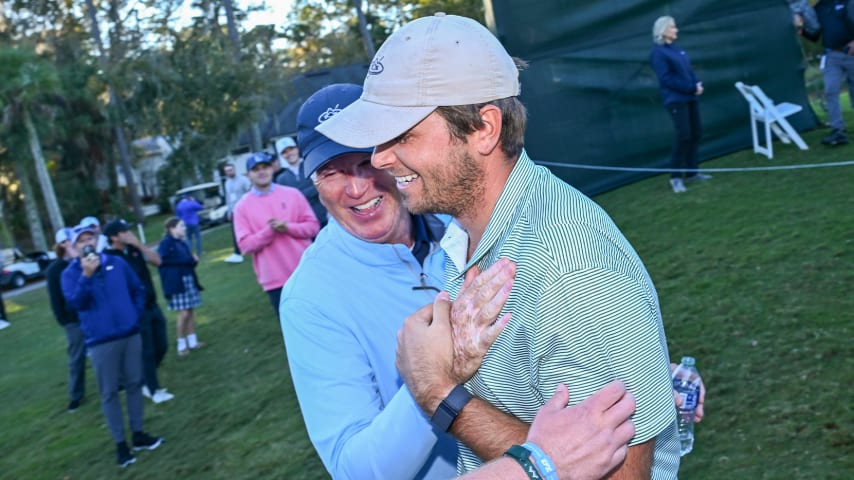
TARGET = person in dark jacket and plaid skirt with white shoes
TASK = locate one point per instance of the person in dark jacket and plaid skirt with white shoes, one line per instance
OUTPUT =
(179, 282)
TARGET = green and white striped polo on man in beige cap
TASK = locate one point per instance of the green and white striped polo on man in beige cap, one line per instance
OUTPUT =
(585, 311)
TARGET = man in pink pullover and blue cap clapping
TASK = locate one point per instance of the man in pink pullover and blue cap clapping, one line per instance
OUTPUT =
(274, 224)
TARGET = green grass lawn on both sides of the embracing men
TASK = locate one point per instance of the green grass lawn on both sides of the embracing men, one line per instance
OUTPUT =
(753, 271)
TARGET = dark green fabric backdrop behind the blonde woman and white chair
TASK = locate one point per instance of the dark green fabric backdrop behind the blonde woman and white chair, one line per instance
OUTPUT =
(593, 97)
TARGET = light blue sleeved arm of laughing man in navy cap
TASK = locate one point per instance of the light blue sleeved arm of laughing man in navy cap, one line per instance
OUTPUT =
(357, 433)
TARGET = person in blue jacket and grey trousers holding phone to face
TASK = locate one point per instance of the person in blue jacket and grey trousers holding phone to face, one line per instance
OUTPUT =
(109, 299)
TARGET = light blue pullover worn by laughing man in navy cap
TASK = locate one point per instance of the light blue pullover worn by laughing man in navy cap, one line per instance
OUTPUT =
(340, 314)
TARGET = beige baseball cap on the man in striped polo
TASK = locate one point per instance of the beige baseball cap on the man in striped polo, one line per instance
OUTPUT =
(443, 60)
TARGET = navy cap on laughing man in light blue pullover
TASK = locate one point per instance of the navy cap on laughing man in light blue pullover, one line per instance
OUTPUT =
(317, 149)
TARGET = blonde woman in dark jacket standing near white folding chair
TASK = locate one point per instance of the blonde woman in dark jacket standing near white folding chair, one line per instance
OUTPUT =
(680, 90)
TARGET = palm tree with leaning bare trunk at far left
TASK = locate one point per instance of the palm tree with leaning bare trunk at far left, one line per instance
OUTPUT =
(28, 81)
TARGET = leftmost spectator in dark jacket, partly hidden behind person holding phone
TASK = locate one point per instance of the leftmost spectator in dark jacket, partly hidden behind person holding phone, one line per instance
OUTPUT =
(67, 318)
